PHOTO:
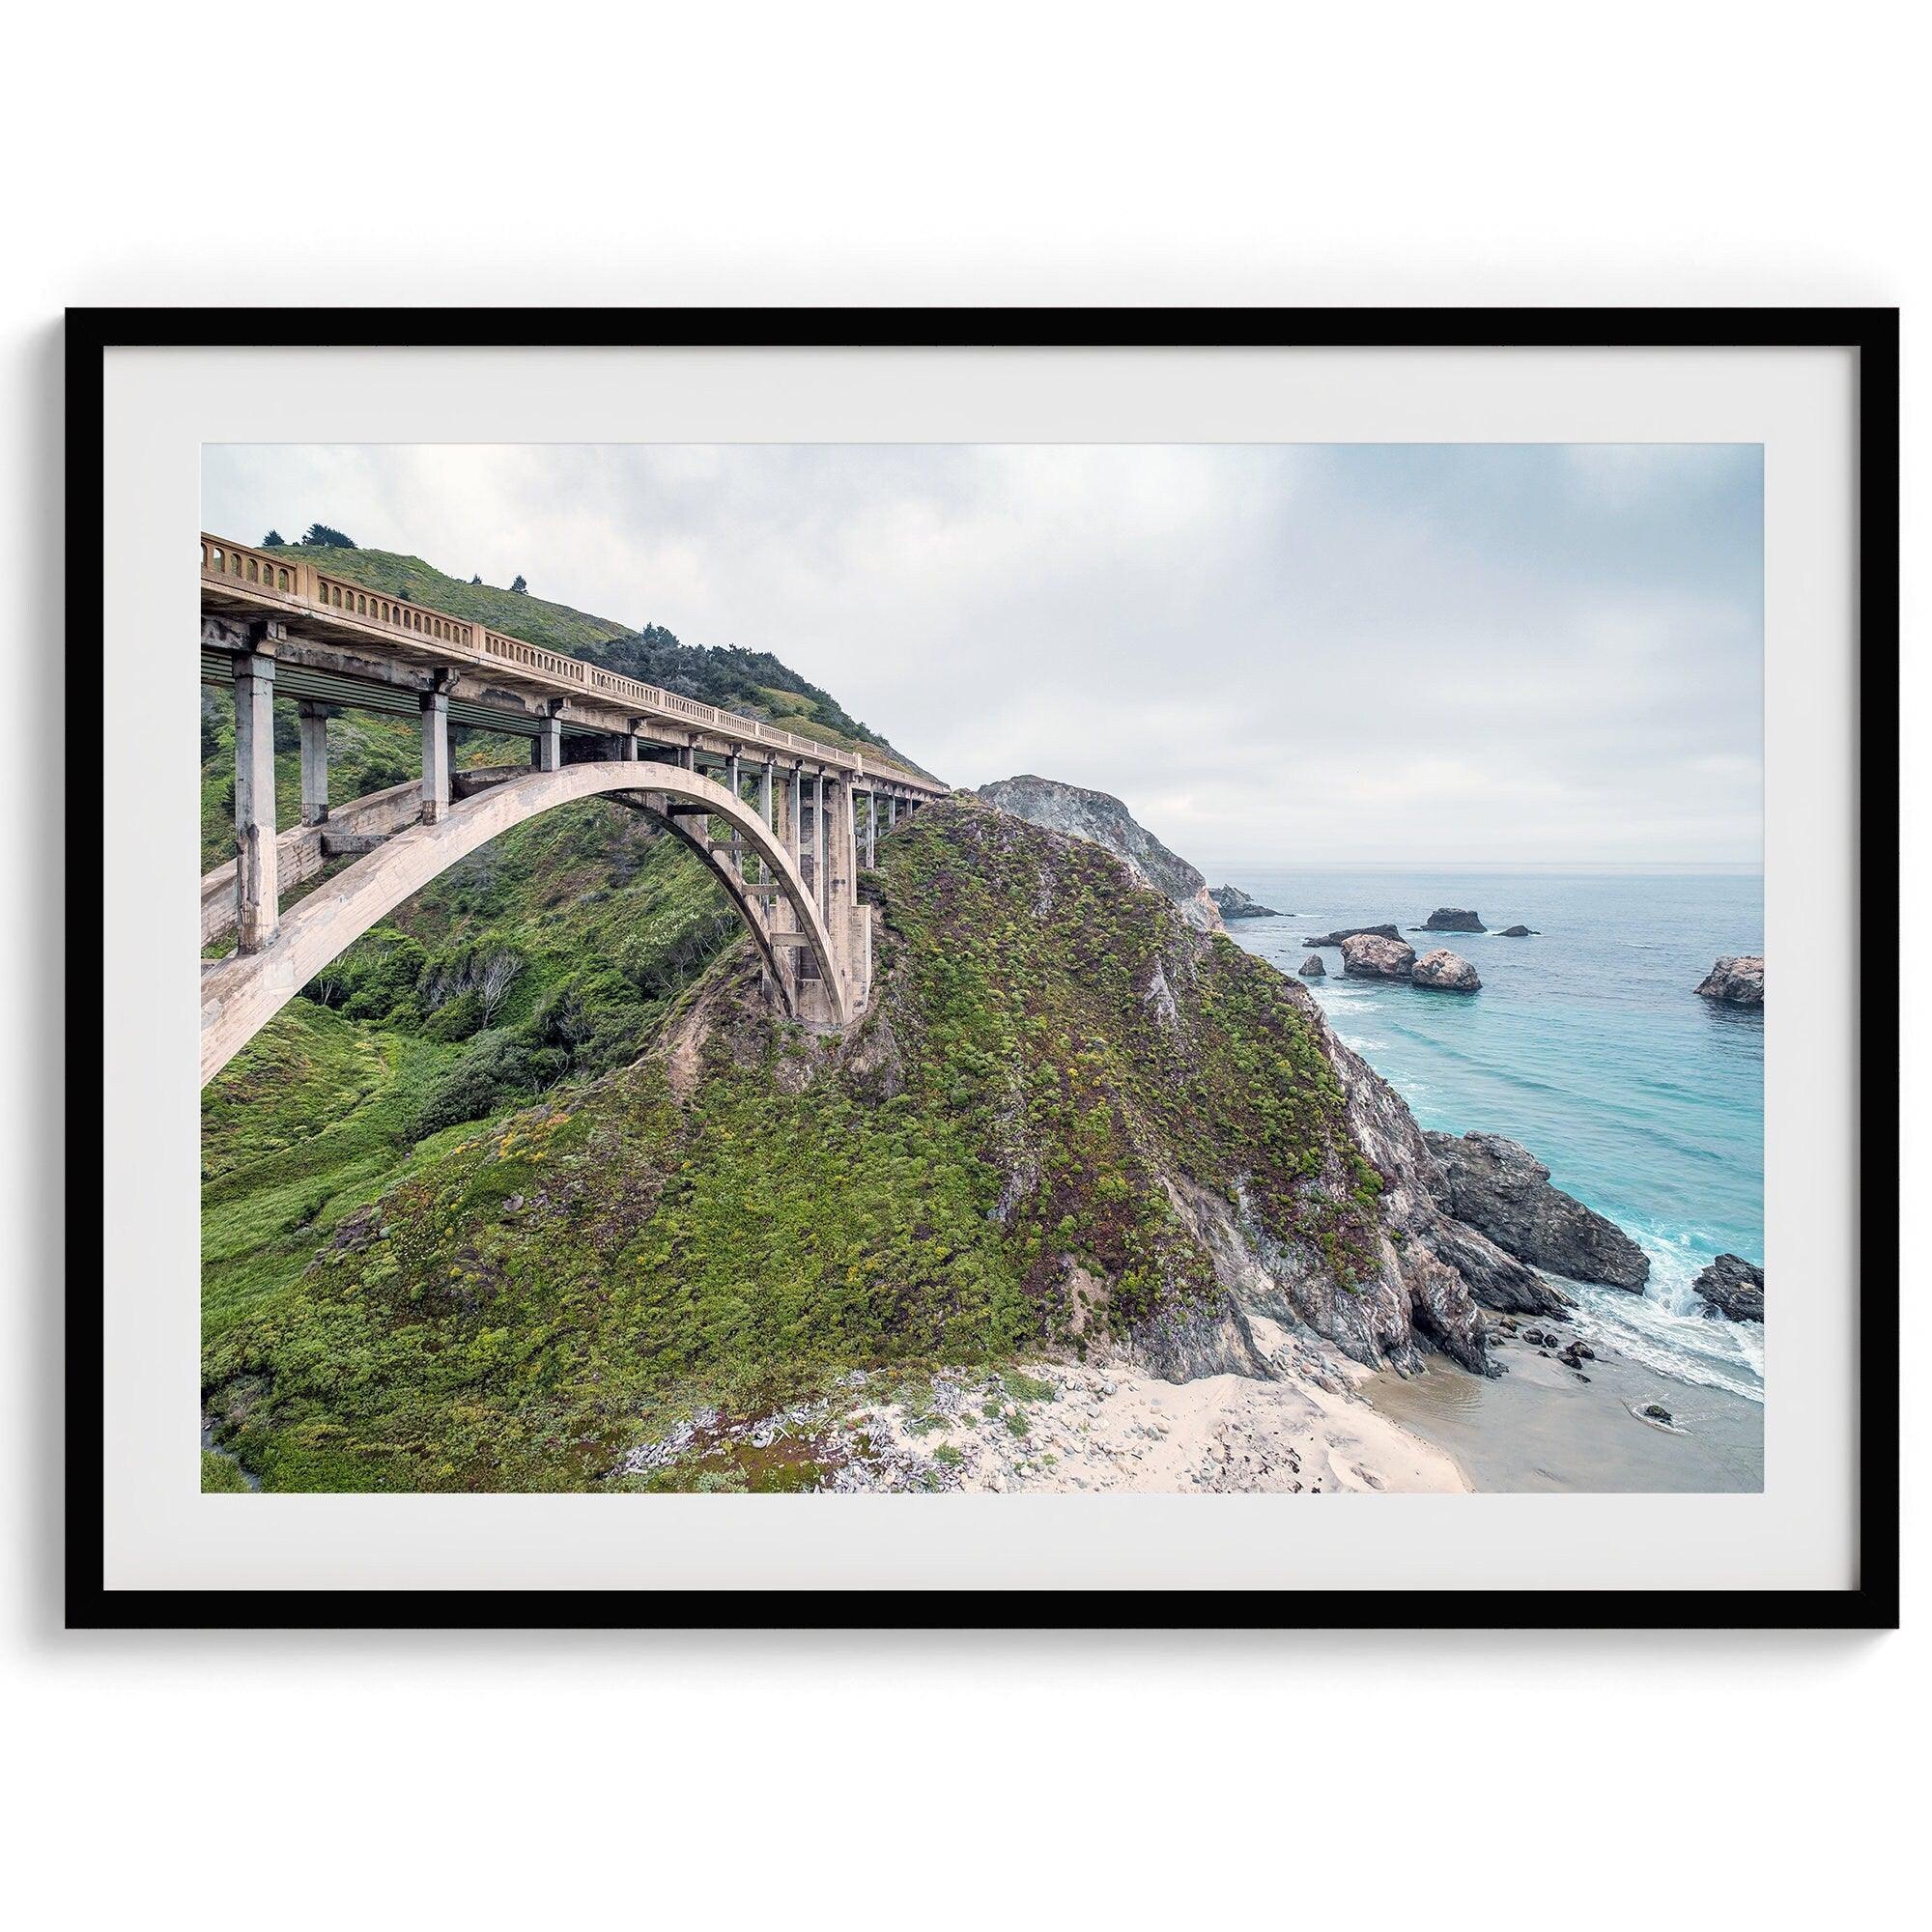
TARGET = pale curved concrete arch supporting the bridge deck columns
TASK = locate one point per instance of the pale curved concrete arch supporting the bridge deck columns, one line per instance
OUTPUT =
(246, 990)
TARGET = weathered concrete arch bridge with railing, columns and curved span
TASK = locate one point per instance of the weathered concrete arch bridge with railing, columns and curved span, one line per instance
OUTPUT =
(783, 822)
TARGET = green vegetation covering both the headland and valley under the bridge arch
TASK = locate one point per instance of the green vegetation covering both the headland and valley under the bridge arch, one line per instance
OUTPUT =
(708, 1208)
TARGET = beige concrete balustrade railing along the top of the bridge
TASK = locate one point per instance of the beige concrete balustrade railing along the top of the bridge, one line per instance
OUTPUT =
(302, 584)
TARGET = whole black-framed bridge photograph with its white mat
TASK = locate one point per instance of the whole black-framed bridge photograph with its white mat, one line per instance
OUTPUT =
(984, 969)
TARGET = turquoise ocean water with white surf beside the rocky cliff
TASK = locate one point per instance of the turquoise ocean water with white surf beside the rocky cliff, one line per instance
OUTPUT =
(1589, 1046)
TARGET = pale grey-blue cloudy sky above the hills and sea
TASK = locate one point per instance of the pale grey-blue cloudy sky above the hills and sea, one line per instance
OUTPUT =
(1467, 654)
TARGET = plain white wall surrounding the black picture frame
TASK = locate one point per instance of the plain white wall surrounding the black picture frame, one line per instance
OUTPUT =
(841, 154)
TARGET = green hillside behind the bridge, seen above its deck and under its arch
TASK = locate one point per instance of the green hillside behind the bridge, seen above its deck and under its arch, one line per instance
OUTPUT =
(536, 965)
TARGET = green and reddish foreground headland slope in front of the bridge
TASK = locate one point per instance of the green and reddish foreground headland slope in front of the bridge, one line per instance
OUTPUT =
(532, 1297)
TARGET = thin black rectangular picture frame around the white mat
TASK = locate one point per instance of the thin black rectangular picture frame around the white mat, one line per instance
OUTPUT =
(1871, 1605)
